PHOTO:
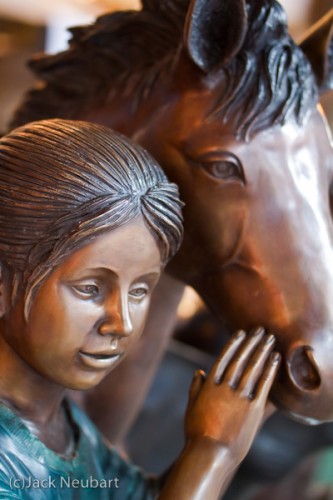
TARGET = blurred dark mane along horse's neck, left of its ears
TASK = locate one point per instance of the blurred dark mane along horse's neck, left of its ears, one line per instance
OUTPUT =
(122, 50)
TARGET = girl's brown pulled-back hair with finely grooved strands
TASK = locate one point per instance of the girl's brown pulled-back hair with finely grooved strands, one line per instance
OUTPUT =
(65, 182)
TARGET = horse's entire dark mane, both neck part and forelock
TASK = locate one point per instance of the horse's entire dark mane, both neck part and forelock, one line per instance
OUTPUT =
(126, 52)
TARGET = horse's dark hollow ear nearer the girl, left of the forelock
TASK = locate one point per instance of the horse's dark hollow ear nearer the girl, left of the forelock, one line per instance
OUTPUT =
(214, 31)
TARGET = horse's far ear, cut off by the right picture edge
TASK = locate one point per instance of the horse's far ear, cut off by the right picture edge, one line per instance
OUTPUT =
(317, 45)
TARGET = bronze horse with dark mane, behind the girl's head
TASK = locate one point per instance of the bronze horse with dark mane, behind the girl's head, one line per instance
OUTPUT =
(223, 98)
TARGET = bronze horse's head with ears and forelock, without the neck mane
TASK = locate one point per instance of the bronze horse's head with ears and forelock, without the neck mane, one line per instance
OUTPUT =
(251, 152)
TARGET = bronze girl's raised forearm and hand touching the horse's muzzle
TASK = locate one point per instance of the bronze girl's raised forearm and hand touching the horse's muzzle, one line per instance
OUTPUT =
(224, 413)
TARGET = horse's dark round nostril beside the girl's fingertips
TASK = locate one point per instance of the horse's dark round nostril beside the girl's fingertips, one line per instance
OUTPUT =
(303, 370)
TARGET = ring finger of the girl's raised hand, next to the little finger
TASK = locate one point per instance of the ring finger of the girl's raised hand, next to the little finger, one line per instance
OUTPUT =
(256, 365)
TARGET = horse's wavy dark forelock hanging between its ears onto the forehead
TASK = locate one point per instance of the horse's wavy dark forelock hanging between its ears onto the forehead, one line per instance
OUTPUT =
(270, 80)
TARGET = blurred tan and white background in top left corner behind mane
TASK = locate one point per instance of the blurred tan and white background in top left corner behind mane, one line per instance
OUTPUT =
(30, 26)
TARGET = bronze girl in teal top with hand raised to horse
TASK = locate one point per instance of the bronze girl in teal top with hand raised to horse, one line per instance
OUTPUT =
(84, 236)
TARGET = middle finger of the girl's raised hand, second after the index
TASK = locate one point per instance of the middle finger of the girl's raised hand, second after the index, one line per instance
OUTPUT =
(236, 367)
